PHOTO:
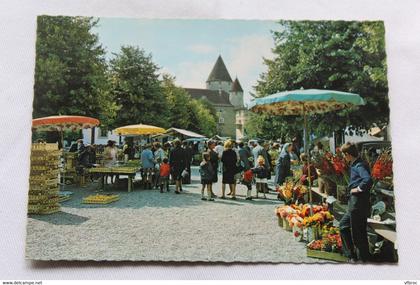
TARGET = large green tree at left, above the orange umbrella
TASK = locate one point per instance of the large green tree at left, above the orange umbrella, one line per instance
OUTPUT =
(70, 70)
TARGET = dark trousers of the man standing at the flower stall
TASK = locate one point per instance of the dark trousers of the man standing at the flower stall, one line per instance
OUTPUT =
(353, 231)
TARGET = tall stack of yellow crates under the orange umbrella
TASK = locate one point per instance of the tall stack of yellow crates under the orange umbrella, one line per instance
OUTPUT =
(43, 179)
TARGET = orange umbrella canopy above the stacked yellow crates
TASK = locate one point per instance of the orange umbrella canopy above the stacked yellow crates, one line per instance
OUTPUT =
(60, 123)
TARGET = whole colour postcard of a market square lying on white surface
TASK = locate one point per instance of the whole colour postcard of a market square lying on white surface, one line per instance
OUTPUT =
(211, 141)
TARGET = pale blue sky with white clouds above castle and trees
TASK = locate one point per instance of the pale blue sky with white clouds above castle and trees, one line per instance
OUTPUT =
(188, 49)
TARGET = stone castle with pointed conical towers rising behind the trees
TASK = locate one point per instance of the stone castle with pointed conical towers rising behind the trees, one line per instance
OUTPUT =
(226, 96)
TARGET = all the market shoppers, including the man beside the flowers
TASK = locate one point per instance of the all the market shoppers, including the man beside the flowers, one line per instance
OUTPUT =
(249, 163)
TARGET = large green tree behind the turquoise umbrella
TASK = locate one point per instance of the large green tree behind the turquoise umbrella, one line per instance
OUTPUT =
(337, 55)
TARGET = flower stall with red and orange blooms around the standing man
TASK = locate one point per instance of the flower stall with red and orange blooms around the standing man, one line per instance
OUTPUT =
(318, 231)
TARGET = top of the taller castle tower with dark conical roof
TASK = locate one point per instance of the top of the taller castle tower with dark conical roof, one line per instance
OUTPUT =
(219, 78)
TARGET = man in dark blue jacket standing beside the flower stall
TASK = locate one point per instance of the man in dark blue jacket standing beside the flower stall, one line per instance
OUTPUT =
(353, 225)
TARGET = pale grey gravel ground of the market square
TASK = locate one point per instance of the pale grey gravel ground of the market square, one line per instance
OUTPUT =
(147, 225)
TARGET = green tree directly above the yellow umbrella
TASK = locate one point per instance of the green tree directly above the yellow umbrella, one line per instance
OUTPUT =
(137, 89)
